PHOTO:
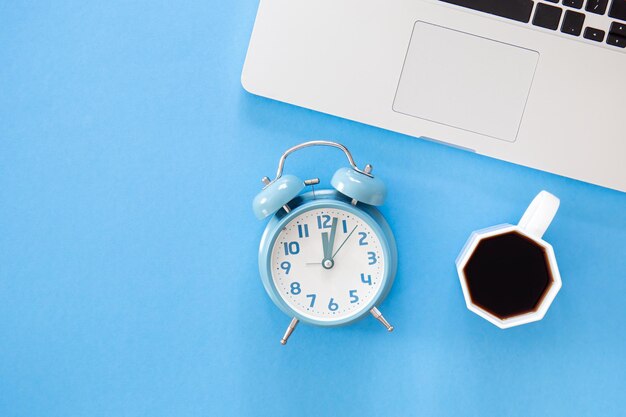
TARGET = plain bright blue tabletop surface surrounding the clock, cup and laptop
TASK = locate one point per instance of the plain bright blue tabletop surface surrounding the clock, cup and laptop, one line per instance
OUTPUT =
(129, 157)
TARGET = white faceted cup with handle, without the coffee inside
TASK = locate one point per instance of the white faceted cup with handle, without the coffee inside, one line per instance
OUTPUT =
(532, 225)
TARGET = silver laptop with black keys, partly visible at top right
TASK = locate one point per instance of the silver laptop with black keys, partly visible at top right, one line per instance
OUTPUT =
(537, 83)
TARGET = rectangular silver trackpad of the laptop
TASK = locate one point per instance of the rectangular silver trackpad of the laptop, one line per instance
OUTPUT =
(465, 81)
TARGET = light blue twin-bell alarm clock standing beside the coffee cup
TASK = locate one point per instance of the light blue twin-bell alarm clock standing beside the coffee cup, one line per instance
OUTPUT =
(327, 257)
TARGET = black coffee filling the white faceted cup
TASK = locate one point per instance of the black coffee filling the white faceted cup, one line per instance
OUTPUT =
(508, 275)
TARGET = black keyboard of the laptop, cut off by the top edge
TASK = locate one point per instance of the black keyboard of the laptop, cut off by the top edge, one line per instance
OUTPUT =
(597, 21)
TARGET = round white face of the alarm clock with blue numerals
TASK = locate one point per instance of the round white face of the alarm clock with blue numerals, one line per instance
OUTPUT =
(328, 264)
